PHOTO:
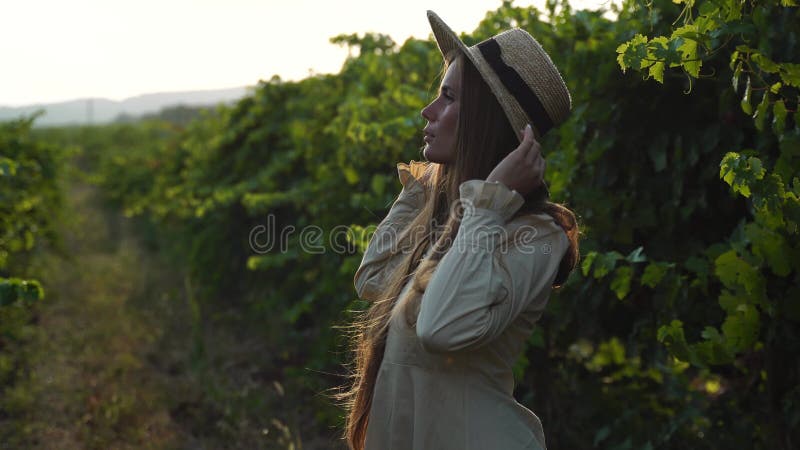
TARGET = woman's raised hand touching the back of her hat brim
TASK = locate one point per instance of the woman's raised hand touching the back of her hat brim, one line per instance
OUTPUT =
(523, 169)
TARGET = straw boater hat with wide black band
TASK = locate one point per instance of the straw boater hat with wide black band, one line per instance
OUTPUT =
(518, 71)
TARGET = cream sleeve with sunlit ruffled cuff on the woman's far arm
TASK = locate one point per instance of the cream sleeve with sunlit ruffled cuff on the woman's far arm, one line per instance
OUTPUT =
(379, 260)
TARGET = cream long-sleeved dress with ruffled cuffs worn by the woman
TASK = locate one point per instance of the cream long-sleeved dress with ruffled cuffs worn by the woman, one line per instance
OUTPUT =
(448, 383)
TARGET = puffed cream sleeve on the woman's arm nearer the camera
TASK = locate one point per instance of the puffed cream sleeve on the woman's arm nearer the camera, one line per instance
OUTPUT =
(473, 296)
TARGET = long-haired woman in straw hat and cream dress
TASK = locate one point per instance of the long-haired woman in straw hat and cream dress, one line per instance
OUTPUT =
(453, 305)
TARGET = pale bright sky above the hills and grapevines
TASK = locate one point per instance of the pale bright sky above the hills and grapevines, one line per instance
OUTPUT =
(54, 50)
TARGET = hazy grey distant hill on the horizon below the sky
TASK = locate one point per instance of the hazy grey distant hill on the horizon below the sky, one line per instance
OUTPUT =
(100, 110)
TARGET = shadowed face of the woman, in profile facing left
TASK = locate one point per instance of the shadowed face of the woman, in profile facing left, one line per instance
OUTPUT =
(442, 117)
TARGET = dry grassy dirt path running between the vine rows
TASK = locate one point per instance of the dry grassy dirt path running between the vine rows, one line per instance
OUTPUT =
(92, 382)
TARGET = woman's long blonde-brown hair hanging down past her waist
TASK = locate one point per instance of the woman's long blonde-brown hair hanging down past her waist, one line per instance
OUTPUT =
(484, 138)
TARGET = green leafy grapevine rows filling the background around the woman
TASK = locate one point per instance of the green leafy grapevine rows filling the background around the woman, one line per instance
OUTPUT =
(681, 157)
